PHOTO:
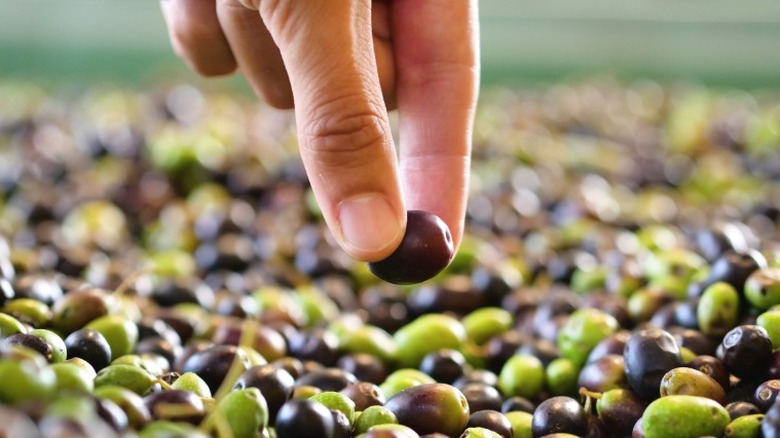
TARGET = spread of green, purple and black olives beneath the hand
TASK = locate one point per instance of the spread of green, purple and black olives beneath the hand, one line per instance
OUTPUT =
(165, 272)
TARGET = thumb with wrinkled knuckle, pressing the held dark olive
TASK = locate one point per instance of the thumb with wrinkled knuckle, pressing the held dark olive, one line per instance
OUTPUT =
(343, 130)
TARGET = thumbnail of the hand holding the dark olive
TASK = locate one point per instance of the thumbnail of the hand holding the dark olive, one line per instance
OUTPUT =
(368, 223)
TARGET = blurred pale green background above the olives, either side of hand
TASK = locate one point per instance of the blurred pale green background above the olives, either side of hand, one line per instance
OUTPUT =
(718, 42)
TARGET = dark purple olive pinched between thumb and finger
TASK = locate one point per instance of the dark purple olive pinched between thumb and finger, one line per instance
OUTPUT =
(425, 250)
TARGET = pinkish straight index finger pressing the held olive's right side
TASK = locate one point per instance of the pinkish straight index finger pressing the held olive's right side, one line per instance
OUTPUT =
(436, 45)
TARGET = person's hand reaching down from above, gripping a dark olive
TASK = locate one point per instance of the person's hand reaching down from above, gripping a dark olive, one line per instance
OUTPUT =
(342, 65)
